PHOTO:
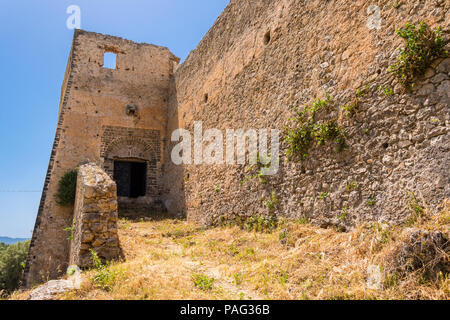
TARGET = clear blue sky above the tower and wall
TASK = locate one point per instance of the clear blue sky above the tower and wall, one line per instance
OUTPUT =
(34, 47)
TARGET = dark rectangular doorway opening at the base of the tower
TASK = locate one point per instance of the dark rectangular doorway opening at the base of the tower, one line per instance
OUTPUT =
(130, 177)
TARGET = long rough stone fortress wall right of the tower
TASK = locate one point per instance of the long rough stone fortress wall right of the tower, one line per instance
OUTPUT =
(261, 57)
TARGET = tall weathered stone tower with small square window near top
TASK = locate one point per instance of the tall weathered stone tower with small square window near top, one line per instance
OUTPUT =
(113, 117)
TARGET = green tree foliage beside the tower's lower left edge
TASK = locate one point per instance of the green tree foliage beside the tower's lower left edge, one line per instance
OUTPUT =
(12, 263)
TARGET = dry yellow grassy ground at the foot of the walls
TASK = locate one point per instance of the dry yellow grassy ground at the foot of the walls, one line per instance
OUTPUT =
(173, 259)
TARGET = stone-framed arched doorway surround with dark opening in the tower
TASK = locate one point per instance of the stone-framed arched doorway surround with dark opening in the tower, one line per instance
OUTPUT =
(132, 158)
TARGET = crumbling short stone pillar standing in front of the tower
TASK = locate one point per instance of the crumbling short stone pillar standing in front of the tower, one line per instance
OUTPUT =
(95, 217)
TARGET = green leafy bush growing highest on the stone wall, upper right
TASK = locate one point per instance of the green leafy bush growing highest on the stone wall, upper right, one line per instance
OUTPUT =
(422, 47)
